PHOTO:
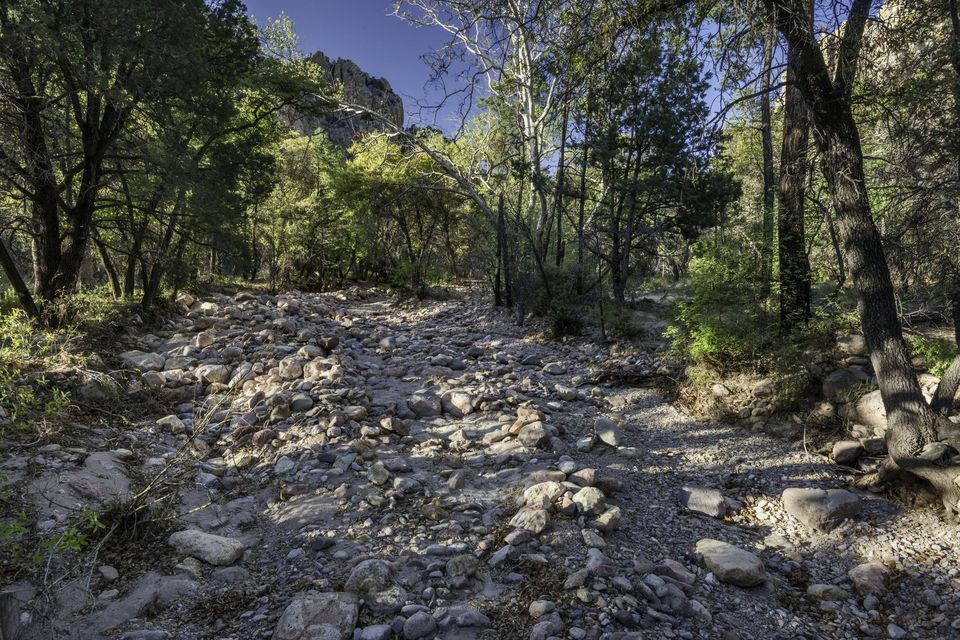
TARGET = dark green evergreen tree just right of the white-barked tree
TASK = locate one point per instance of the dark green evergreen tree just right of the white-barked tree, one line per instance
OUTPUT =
(652, 157)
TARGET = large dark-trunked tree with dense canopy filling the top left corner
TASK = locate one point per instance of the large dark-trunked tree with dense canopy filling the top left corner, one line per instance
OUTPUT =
(73, 73)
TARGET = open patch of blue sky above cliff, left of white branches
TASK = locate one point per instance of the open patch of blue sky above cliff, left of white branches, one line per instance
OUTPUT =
(363, 31)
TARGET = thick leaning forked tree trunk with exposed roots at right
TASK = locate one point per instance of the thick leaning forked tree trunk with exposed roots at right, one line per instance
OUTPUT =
(912, 424)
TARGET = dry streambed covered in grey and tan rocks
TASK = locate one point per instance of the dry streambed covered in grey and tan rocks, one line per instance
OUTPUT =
(342, 468)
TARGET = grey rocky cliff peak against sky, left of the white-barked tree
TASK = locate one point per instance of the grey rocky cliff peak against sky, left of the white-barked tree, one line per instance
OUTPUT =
(358, 88)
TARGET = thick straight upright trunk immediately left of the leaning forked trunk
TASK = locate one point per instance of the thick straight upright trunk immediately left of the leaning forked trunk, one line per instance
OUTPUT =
(794, 265)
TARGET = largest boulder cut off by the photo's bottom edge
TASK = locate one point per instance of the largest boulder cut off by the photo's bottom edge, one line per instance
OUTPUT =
(319, 616)
